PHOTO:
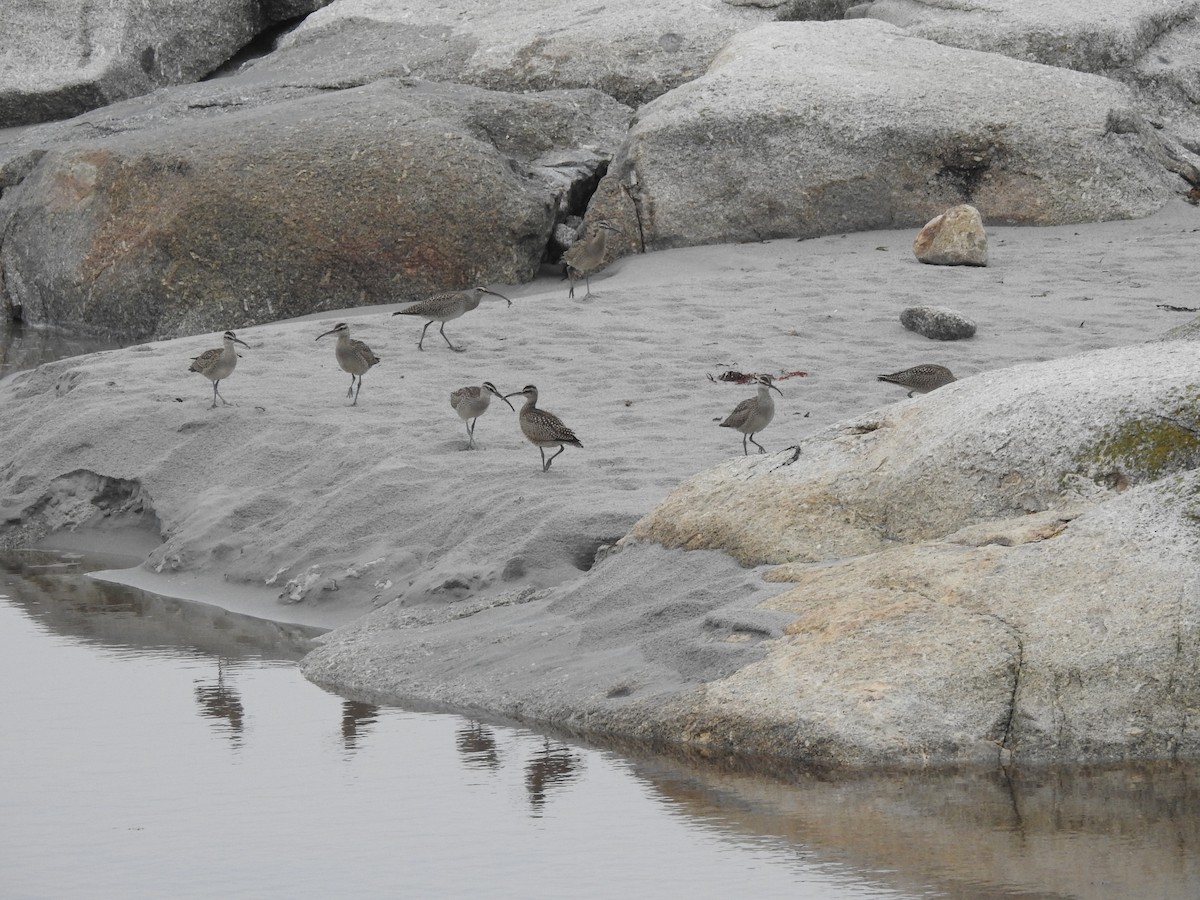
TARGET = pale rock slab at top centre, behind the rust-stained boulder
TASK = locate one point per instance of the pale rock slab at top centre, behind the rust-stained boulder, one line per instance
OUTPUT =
(631, 50)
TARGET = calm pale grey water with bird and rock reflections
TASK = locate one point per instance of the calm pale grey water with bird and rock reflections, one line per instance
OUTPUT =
(163, 749)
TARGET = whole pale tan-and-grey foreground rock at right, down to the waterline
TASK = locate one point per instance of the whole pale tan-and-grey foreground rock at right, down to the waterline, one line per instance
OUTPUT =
(1016, 560)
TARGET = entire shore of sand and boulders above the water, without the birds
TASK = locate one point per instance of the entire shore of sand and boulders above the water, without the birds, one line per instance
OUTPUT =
(1000, 572)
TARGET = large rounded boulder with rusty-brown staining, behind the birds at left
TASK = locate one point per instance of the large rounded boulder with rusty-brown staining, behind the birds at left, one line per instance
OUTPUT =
(230, 217)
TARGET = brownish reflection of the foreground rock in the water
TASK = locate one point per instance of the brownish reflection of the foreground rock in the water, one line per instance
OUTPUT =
(1079, 832)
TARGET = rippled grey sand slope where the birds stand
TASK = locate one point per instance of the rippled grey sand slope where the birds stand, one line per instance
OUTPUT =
(383, 502)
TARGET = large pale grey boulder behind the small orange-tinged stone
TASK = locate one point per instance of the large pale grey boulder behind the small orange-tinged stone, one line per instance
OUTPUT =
(808, 129)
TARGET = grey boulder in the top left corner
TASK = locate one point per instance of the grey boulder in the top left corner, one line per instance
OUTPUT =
(62, 59)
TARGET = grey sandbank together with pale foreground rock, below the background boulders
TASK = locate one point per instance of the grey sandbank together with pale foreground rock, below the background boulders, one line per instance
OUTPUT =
(1001, 572)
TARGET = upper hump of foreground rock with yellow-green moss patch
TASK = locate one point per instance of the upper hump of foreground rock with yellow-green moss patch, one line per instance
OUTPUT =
(934, 476)
